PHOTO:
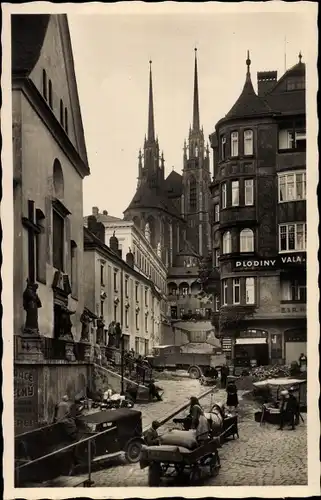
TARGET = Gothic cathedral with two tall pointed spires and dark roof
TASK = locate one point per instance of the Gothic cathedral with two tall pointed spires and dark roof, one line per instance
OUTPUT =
(173, 211)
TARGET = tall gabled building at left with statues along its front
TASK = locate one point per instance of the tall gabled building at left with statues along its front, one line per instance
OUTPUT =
(49, 157)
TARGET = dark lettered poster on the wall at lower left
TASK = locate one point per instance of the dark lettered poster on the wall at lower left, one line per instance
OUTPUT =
(25, 399)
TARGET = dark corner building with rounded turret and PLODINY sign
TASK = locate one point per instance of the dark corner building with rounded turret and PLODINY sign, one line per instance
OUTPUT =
(259, 219)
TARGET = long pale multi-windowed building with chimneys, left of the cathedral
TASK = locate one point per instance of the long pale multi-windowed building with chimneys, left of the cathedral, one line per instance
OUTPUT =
(116, 291)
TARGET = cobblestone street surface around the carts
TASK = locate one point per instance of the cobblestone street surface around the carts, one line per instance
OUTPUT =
(261, 456)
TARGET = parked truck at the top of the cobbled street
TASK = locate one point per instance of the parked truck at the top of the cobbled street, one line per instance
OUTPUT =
(198, 359)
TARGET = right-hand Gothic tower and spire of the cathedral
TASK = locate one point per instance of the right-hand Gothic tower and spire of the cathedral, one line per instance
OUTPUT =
(196, 181)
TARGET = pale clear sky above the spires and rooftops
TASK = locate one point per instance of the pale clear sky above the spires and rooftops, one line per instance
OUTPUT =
(111, 56)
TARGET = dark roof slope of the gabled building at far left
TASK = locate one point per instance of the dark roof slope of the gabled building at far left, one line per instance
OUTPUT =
(27, 36)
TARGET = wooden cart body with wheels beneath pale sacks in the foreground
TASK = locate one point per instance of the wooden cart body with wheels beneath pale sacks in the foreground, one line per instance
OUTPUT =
(168, 461)
